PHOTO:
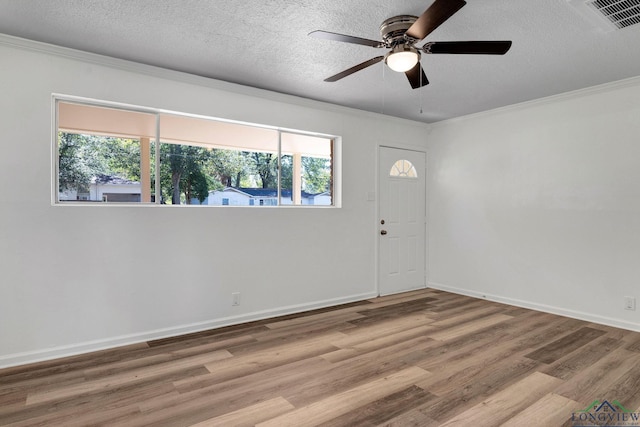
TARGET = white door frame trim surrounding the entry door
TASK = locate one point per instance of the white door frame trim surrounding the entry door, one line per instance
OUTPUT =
(376, 225)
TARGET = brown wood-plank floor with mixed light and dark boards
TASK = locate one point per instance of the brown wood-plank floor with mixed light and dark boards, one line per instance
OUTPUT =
(425, 358)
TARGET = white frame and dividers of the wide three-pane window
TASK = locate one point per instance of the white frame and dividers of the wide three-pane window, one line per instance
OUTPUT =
(333, 140)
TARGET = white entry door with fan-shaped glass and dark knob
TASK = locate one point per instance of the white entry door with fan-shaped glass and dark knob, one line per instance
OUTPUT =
(402, 220)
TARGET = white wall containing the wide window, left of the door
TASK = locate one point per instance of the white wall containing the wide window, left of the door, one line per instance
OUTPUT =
(177, 265)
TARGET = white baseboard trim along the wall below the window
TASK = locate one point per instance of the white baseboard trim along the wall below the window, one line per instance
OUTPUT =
(18, 359)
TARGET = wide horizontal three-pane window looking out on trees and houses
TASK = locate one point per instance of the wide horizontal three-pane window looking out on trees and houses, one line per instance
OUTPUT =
(108, 154)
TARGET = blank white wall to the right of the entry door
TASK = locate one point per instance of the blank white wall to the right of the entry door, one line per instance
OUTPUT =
(539, 204)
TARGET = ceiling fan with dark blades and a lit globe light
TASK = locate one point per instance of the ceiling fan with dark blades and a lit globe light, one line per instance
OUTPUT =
(401, 33)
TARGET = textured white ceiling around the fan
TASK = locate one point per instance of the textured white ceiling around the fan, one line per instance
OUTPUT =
(264, 44)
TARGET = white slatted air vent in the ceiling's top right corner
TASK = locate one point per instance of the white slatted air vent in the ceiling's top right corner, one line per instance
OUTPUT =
(611, 14)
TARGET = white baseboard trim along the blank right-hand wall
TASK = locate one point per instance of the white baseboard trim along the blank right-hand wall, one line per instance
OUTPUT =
(580, 315)
